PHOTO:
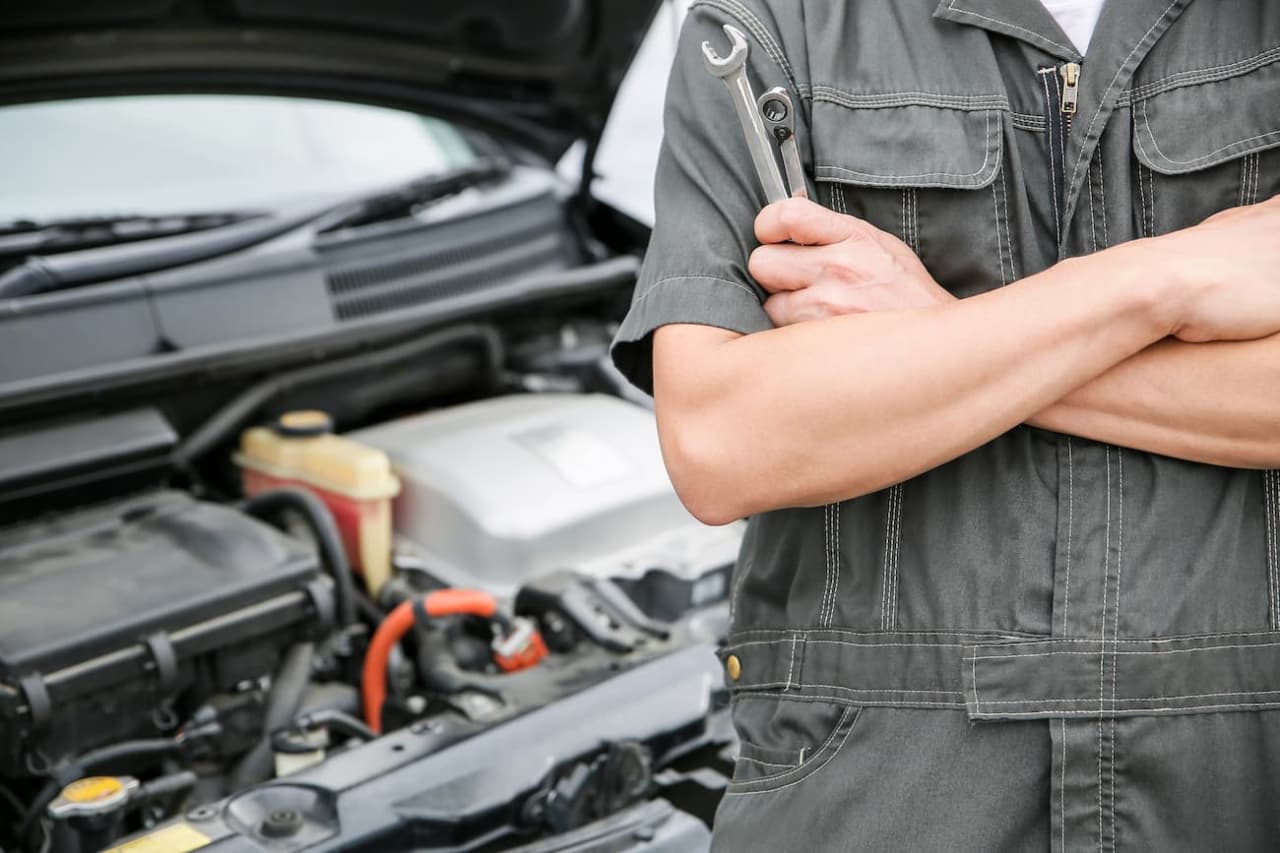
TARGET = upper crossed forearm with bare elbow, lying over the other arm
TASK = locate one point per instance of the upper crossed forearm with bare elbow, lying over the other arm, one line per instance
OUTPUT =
(839, 408)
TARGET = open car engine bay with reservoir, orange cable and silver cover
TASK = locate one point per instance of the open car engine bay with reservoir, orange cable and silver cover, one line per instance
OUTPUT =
(437, 595)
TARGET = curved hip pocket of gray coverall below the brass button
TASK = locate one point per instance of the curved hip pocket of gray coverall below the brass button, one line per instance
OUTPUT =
(783, 740)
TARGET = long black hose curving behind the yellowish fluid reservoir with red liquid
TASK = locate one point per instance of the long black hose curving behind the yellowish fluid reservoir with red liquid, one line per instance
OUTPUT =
(240, 410)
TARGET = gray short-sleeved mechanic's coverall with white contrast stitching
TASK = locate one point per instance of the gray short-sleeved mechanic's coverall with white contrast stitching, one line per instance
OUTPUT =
(1050, 642)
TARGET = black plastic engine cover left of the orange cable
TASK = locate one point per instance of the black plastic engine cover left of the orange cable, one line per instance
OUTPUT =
(113, 614)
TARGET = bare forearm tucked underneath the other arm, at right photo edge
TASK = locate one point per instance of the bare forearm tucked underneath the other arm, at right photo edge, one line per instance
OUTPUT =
(1205, 403)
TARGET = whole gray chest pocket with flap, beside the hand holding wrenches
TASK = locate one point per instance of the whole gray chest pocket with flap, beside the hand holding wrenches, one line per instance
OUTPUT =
(932, 176)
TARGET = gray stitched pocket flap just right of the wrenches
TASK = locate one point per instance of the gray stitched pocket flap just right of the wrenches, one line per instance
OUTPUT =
(913, 145)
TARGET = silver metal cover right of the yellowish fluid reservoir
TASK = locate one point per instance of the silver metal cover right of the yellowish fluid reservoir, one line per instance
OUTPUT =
(505, 490)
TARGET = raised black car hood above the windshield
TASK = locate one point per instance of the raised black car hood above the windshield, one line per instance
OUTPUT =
(546, 70)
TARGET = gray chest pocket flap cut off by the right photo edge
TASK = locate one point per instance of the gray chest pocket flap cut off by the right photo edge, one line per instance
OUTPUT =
(1195, 125)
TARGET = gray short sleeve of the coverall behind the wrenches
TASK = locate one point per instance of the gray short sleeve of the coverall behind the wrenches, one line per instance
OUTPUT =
(706, 200)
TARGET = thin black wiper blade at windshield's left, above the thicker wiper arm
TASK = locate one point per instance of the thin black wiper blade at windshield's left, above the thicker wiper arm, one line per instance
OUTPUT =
(25, 238)
